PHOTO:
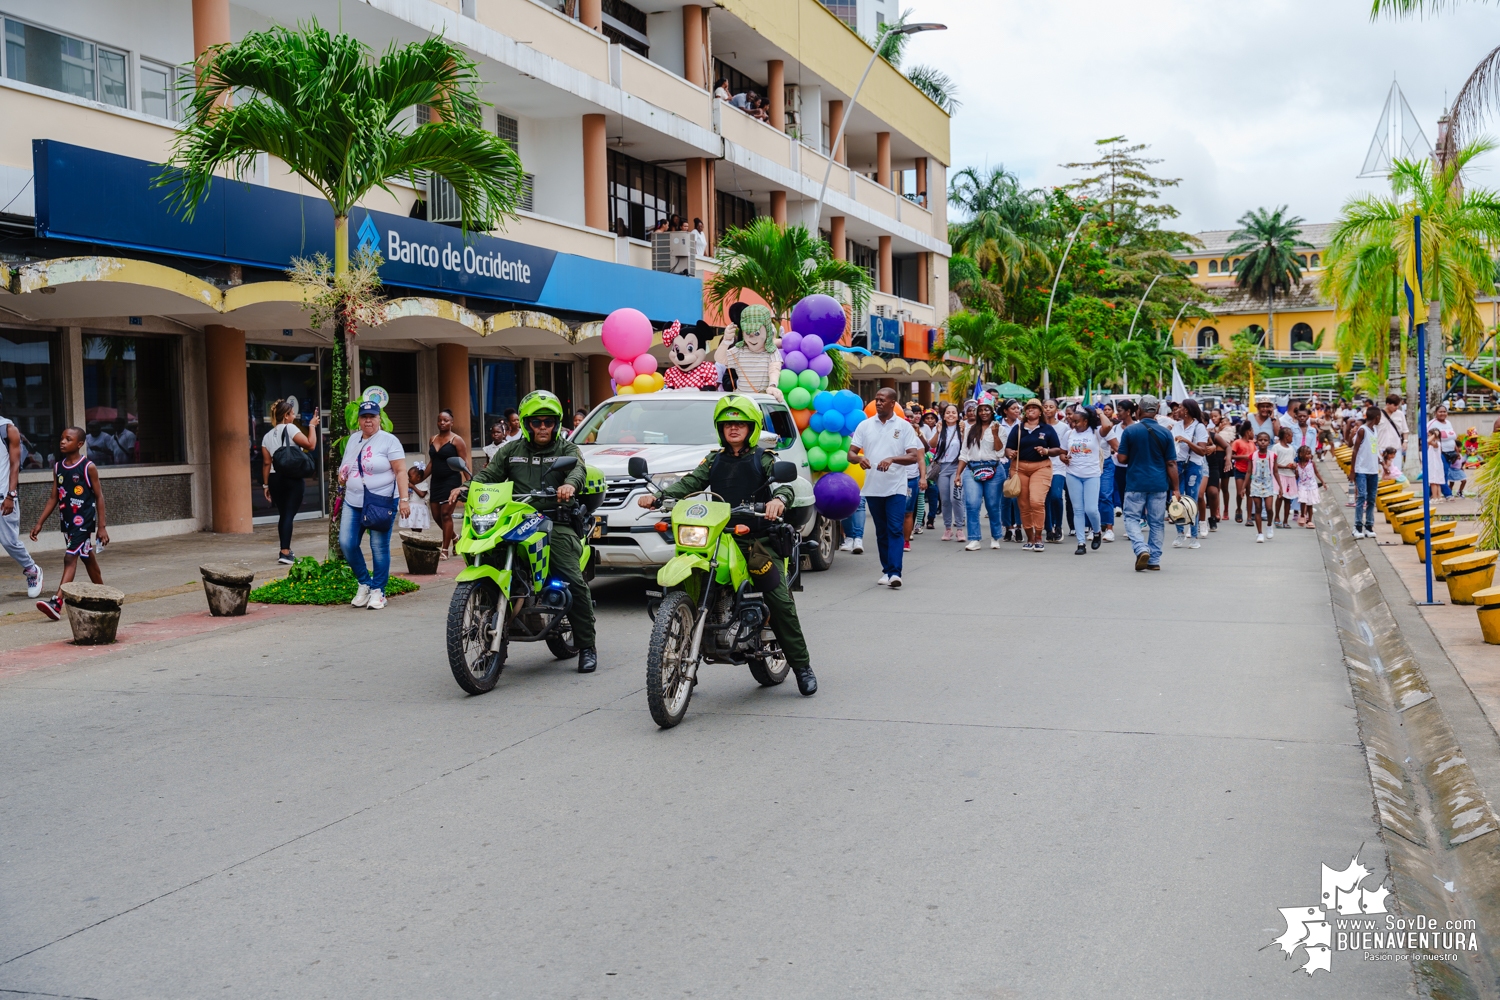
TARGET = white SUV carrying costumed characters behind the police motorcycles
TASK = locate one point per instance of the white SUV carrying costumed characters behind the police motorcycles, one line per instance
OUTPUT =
(674, 431)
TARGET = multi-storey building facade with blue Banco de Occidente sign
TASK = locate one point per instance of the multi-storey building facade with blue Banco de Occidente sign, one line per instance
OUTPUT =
(170, 341)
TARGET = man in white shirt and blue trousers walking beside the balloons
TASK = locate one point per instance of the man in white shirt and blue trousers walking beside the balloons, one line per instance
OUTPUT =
(881, 448)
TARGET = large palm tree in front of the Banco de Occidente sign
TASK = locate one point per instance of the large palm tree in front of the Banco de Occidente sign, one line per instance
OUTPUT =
(335, 115)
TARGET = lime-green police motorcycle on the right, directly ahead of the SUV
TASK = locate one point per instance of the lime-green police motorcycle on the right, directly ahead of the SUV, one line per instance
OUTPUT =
(709, 609)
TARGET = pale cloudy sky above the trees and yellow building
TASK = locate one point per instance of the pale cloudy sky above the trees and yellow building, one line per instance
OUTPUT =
(1250, 104)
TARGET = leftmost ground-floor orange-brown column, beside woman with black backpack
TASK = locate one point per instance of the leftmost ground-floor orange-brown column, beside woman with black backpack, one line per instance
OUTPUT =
(229, 431)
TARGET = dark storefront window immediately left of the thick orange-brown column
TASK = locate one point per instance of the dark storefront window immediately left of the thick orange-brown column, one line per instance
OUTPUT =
(133, 400)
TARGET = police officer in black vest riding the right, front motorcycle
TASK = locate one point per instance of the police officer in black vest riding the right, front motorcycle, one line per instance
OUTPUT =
(740, 473)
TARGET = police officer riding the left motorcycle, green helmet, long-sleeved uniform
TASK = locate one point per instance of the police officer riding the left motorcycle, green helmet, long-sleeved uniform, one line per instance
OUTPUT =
(526, 463)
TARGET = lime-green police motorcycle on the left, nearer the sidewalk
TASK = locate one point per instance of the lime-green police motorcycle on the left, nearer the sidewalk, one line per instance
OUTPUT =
(508, 593)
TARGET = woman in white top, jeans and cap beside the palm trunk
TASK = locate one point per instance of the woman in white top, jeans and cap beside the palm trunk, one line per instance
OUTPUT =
(374, 466)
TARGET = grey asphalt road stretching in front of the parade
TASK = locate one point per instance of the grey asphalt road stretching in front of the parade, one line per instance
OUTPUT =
(1025, 776)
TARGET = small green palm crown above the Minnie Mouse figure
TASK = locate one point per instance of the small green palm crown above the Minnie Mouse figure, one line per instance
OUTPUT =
(782, 265)
